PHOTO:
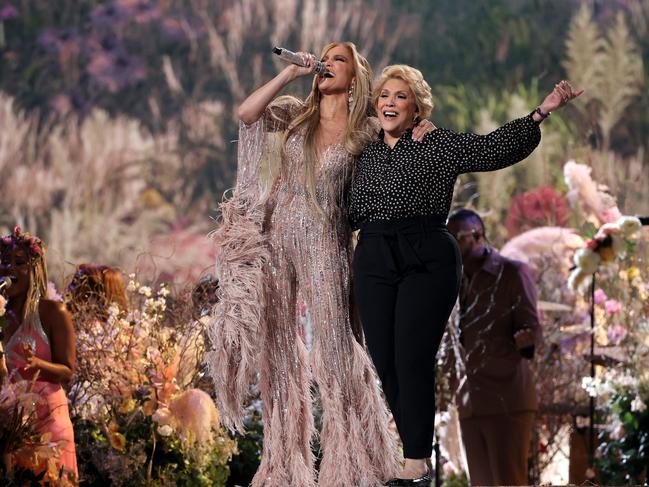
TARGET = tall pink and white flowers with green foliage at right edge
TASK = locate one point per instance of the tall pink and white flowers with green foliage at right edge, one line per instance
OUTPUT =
(621, 307)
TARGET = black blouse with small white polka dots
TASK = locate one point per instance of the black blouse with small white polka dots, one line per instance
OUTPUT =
(417, 178)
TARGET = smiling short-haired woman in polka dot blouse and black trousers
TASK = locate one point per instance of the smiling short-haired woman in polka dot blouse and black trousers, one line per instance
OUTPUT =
(407, 266)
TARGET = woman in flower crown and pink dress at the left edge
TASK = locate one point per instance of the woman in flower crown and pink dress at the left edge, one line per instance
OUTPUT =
(39, 339)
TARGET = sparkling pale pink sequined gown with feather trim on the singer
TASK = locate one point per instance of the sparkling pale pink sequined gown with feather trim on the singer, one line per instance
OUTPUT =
(269, 253)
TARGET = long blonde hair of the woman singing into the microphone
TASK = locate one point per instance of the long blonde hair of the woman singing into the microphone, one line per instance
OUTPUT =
(357, 132)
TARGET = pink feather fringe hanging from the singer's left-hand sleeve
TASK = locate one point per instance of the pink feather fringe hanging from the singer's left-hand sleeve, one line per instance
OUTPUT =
(236, 320)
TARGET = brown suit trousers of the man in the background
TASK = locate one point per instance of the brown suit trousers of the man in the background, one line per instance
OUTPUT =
(497, 448)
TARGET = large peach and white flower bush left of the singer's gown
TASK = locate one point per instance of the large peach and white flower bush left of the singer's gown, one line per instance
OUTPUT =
(135, 422)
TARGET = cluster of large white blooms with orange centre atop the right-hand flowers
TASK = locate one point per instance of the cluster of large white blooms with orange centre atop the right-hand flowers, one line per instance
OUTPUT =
(612, 241)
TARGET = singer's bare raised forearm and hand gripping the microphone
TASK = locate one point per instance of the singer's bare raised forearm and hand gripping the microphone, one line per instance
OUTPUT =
(252, 108)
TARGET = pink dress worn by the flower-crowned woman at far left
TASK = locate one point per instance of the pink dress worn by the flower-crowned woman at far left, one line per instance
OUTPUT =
(53, 413)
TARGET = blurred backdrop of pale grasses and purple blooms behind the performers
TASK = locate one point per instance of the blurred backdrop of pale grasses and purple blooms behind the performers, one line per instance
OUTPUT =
(117, 118)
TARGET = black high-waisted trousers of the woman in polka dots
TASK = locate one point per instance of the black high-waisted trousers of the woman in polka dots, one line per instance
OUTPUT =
(406, 277)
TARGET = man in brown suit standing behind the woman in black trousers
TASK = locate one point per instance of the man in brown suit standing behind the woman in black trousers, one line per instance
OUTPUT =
(499, 329)
